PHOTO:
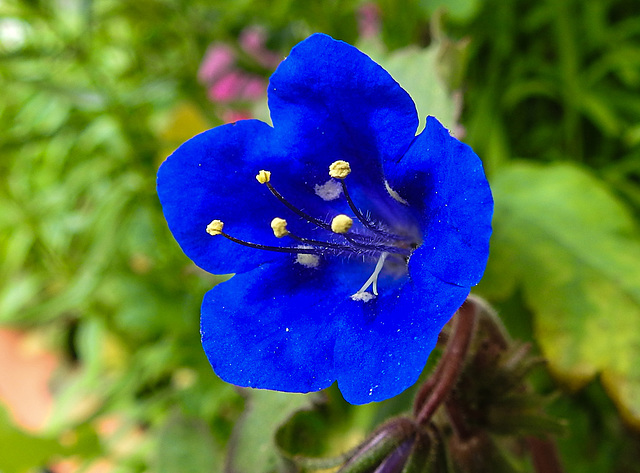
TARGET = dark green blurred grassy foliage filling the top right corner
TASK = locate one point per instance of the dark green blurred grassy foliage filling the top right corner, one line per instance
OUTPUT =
(557, 80)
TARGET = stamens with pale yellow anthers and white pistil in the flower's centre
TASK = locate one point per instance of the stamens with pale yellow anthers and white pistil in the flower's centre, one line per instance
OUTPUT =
(372, 239)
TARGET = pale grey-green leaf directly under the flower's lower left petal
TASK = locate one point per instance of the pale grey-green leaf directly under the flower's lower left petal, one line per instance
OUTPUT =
(253, 447)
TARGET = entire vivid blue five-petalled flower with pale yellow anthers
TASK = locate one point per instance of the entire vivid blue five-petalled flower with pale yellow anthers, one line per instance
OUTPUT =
(353, 240)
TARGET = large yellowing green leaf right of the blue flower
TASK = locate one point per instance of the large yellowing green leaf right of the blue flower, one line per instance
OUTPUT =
(575, 250)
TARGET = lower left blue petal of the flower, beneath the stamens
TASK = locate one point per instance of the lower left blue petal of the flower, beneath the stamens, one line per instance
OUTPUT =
(275, 327)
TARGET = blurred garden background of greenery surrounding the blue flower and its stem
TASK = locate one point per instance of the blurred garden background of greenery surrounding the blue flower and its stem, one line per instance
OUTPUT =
(101, 368)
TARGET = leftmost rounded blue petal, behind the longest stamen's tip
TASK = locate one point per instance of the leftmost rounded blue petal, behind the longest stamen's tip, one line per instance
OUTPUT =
(212, 176)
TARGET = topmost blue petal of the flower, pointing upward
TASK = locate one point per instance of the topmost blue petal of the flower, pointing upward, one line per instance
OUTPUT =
(329, 101)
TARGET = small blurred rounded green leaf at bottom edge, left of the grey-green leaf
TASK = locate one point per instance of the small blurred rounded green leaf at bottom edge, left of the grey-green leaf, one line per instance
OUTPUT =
(185, 445)
